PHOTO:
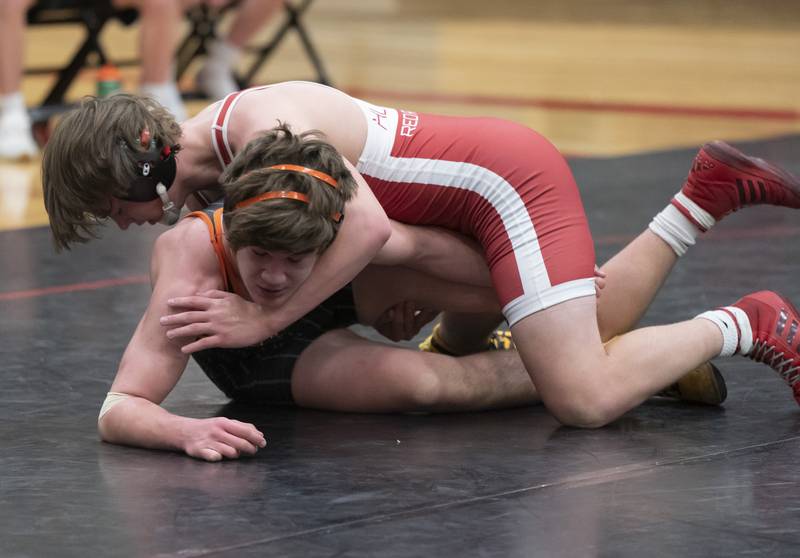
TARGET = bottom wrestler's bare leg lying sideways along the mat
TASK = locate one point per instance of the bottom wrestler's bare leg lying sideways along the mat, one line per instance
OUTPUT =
(341, 371)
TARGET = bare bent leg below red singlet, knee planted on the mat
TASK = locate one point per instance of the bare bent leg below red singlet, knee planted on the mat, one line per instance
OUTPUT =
(586, 384)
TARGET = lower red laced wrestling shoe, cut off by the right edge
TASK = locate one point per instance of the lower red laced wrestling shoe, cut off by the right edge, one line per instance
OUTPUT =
(773, 338)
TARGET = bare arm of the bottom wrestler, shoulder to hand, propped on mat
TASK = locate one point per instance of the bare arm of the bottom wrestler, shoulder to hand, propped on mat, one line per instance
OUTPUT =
(183, 263)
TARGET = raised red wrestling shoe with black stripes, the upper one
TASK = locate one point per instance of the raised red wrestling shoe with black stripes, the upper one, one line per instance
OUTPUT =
(723, 179)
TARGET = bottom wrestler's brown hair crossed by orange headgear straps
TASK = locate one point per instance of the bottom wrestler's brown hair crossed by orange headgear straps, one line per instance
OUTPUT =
(285, 224)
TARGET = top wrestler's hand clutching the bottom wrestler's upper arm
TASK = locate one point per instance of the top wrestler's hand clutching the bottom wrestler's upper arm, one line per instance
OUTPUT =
(218, 319)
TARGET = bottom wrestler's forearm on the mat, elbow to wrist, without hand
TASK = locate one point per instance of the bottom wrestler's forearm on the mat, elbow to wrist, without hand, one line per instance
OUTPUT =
(141, 423)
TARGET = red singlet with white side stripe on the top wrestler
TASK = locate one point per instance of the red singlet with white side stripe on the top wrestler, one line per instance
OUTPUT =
(492, 179)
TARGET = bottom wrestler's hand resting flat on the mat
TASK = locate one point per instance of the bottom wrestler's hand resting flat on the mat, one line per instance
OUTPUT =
(214, 438)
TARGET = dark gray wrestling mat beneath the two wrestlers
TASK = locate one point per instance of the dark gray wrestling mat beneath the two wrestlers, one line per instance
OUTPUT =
(665, 480)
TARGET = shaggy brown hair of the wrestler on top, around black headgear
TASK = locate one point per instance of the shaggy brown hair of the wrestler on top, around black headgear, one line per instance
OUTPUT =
(84, 164)
